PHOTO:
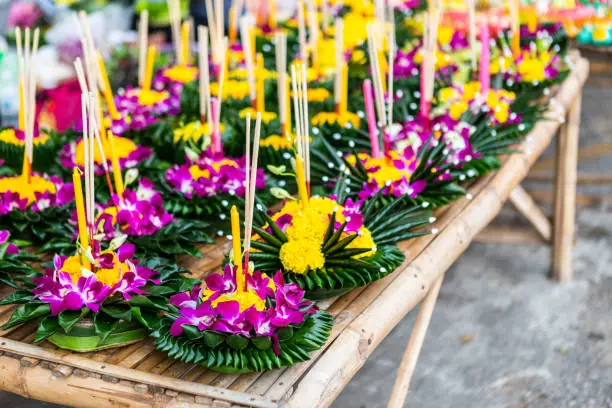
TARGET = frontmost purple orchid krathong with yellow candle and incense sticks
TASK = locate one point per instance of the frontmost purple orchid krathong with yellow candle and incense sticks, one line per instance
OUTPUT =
(242, 320)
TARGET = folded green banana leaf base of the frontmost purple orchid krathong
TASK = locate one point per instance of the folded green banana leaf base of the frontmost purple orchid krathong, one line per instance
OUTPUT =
(232, 354)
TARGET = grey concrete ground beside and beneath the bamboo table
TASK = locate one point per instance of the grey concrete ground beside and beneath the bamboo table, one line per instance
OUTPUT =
(502, 334)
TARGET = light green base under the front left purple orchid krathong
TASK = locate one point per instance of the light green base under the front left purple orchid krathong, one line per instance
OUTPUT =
(83, 337)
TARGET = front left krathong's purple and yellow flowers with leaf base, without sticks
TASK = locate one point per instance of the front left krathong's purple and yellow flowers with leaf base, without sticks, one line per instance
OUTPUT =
(96, 298)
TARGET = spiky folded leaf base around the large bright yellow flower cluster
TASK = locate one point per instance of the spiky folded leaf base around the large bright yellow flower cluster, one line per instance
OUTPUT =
(343, 269)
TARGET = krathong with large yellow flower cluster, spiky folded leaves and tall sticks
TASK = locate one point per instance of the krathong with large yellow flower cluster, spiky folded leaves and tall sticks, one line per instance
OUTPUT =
(328, 245)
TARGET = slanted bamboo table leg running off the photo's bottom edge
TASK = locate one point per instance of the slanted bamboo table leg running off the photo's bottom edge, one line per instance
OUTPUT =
(413, 349)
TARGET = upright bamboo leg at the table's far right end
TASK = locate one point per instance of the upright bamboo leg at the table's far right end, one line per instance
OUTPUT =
(565, 195)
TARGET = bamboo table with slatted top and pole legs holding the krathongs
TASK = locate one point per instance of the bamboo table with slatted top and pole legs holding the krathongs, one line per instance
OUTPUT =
(139, 376)
